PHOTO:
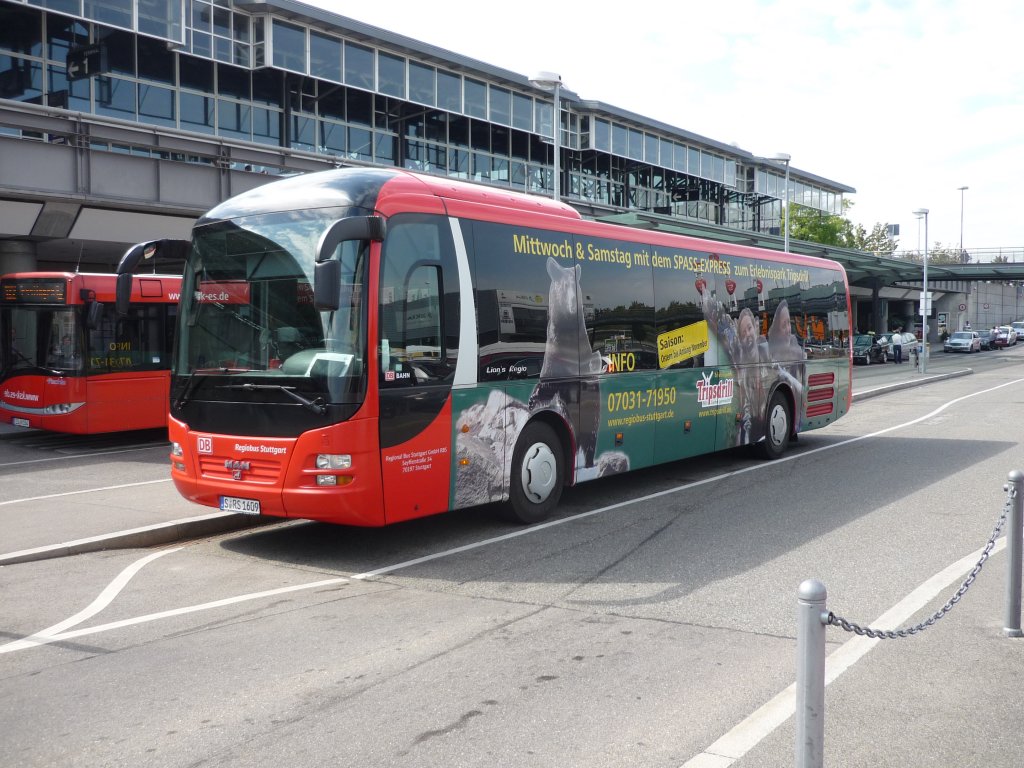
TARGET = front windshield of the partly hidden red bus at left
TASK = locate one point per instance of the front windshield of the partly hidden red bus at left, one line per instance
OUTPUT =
(41, 339)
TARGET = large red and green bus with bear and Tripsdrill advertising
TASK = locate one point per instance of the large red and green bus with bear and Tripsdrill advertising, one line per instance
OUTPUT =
(366, 347)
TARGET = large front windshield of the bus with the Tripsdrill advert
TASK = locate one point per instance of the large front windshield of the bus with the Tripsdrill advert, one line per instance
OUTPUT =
(247, 309)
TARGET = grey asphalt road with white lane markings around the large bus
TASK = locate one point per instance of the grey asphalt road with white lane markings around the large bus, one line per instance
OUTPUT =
(648, 625)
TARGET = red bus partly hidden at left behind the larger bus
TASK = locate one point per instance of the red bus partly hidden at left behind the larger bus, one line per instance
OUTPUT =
(71, 363)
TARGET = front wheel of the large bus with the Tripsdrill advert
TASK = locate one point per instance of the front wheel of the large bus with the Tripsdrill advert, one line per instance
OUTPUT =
(538, 475)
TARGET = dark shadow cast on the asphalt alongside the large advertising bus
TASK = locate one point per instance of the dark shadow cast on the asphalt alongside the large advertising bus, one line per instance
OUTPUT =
(690, 523)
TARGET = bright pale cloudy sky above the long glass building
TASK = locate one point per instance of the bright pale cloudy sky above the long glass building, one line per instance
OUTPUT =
(905, 101)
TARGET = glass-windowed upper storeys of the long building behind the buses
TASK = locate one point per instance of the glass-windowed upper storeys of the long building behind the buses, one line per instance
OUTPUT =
(287, 75)
